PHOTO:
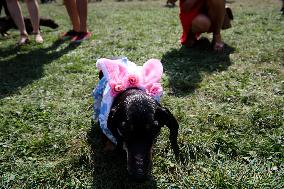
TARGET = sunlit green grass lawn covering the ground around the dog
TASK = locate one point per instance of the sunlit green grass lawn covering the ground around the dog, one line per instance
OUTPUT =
(229, 106)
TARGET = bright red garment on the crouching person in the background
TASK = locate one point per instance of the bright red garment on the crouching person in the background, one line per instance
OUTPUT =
(186, 18)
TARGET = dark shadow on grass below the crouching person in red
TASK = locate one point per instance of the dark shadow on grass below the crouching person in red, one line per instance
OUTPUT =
(185, 67)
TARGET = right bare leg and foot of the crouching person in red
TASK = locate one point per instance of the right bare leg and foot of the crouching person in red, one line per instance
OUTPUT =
(216, 13)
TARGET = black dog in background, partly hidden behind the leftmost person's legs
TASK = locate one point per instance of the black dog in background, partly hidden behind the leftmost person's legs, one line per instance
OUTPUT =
(7, 23)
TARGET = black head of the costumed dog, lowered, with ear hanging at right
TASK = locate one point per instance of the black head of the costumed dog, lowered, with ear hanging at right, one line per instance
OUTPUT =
(135, 120)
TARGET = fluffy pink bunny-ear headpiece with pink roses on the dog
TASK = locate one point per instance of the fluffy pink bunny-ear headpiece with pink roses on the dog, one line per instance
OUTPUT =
(123, 74)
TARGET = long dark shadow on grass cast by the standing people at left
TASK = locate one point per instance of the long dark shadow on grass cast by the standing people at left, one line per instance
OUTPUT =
(26, 66)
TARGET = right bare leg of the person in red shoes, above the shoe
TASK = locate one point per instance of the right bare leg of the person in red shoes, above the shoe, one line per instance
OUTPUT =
(82, 8)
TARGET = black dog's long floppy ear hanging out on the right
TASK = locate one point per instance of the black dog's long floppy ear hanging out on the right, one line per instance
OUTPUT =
(166, 118)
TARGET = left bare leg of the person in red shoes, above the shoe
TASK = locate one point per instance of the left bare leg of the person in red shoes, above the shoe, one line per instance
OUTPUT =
(71, 8)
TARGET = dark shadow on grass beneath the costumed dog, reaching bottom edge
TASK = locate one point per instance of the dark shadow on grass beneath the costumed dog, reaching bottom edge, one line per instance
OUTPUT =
(109, 168)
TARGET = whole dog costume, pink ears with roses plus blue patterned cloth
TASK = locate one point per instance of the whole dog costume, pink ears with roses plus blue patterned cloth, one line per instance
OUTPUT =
(119, 75)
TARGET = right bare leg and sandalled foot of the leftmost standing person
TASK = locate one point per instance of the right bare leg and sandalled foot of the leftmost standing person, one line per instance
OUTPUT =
(34, 15)
